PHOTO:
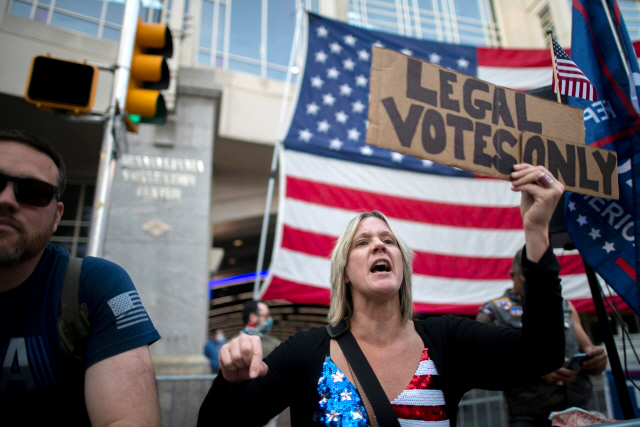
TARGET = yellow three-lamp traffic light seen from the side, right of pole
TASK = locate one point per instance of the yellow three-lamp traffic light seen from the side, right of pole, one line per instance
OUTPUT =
(149, 74)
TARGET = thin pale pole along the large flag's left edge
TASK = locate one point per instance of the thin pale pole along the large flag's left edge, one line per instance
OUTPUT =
(276, 153)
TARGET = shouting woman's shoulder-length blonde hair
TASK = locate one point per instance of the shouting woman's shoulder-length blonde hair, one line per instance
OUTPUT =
(341, 302)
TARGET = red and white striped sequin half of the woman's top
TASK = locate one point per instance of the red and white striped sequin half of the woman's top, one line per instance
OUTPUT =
(421, 404)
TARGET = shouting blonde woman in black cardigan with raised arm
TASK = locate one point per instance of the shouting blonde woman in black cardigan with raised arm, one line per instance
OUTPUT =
(424, 367)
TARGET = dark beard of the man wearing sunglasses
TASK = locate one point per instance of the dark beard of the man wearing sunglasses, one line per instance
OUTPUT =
(28, 245)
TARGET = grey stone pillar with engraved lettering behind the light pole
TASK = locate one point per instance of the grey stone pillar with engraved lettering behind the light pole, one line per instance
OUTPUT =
(159, 228)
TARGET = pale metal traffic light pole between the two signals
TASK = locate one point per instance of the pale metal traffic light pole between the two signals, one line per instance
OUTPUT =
(106, 168)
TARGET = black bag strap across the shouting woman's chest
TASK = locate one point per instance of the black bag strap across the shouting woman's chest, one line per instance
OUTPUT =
(382, 408)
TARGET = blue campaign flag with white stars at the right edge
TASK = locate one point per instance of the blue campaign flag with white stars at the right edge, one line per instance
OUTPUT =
(604, 230)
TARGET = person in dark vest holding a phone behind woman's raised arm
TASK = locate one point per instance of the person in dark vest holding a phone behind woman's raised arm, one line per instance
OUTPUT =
(566, 387)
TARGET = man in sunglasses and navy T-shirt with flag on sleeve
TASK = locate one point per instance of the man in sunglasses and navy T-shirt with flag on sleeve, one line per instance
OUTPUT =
(40, 383)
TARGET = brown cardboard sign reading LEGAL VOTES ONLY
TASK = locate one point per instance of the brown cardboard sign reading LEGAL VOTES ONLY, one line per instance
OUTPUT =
(433, 113)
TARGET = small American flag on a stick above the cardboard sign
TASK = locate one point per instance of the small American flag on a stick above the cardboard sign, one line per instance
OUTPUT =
(571, 80)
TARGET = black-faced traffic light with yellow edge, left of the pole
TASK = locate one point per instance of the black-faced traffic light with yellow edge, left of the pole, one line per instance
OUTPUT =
(58, 84)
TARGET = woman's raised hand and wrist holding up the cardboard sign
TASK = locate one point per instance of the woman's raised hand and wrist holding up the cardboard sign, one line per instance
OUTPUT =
(540, 195)
